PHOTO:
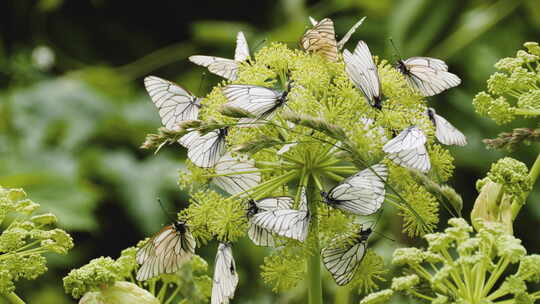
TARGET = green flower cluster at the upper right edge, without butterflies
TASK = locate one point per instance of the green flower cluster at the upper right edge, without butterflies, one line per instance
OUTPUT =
(515, 89)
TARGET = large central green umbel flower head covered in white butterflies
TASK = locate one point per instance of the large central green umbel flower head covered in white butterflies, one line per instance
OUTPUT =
(295, 145)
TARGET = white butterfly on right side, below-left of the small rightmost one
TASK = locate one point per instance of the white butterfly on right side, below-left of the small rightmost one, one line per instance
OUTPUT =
(408, 149)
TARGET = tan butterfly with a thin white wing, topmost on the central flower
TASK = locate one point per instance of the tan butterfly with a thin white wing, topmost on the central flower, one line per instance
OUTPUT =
(322, 38)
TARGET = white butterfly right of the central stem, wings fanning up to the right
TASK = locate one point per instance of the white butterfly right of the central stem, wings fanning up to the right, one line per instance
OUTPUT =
(362, 193)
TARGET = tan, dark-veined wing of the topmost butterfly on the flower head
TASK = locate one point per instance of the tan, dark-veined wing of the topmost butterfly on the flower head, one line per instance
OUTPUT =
(322, 39)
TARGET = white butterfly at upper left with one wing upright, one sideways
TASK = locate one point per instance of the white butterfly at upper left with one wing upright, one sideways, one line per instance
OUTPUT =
(226, 68)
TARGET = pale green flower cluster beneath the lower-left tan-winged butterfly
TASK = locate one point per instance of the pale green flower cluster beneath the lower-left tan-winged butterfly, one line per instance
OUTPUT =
(113, 281)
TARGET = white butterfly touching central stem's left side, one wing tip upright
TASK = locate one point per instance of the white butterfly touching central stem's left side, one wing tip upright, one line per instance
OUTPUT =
(289, 223)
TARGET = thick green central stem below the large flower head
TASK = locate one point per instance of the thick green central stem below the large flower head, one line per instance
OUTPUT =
(314, 261)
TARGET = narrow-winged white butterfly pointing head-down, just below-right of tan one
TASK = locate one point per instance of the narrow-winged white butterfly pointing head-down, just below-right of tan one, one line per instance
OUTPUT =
(363, 72)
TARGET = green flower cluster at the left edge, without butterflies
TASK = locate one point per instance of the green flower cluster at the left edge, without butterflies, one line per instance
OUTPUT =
(25, 239)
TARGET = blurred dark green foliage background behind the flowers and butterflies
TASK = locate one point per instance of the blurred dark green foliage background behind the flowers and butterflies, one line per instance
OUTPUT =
(73, 110)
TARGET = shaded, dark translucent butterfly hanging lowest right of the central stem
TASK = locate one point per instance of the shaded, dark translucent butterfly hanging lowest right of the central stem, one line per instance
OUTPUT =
(344, 256)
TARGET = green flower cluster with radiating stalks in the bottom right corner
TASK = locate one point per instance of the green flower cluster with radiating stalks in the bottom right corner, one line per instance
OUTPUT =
(462, 267)
